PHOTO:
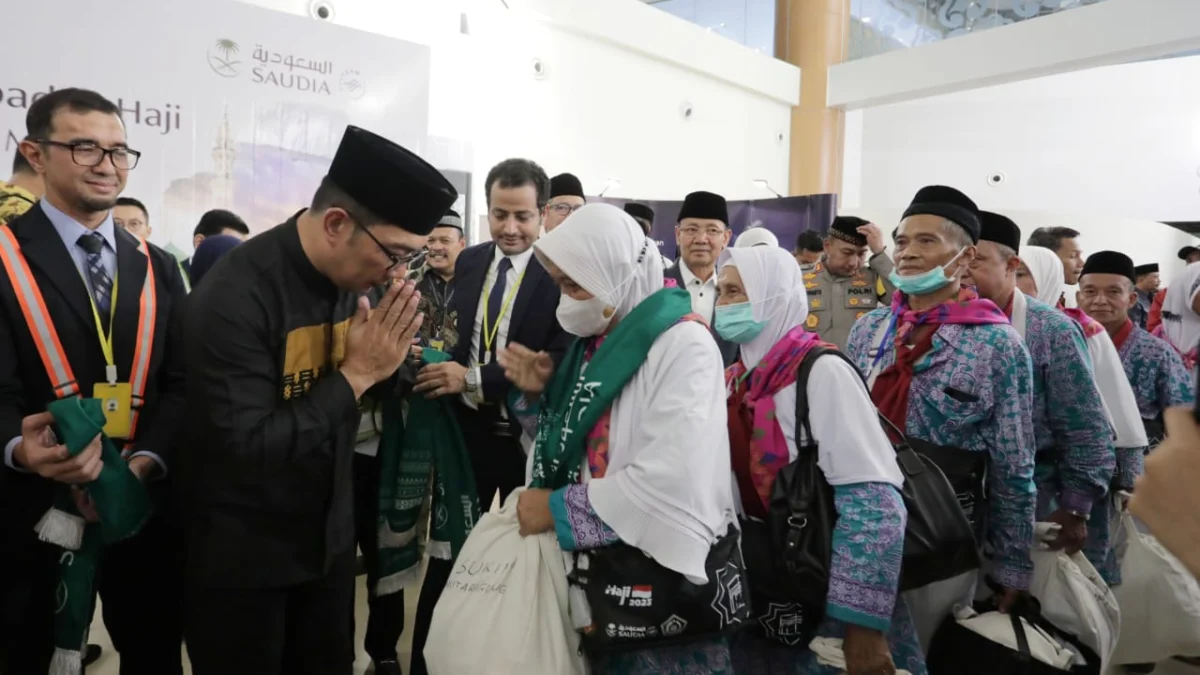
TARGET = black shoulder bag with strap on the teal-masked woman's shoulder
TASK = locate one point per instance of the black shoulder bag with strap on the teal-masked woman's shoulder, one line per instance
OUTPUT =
(789, 555)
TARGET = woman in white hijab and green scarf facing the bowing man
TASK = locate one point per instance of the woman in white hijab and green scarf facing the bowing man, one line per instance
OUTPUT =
(638, 453)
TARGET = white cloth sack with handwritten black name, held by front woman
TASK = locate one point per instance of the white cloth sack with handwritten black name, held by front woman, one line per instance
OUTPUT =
(505, 610)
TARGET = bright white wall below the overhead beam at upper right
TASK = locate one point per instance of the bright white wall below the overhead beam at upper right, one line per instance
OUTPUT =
(1108, 151)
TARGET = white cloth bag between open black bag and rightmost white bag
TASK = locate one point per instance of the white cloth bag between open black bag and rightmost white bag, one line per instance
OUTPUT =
(1076, 600)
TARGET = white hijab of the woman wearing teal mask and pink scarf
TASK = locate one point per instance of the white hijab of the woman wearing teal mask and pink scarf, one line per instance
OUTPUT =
(848, 453)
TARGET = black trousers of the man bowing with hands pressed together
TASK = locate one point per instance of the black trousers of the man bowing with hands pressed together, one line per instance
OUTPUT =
(303, 630)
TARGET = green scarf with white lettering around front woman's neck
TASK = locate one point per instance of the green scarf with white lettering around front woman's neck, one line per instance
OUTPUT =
(583, 390)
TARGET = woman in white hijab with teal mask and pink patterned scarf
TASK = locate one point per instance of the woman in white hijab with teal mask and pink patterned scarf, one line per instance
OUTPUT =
(763, 306)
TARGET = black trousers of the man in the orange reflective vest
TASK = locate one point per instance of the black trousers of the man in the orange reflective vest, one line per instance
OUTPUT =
(142, 594)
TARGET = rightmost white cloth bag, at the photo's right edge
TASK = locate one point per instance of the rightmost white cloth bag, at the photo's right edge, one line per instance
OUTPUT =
(1160, 601)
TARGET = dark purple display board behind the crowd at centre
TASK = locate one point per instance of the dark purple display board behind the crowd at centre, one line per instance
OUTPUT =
(787, 218)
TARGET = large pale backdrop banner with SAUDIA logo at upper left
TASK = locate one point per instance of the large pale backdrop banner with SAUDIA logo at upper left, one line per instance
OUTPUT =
(231, 106)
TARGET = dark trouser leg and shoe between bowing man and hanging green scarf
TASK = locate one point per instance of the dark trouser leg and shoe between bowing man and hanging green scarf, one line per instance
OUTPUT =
(386, 614)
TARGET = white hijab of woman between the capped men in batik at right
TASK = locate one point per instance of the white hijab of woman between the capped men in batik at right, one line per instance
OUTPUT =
(1117, 395)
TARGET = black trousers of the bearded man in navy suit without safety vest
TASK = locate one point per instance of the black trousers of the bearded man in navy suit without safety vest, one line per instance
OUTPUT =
(499, 464)
